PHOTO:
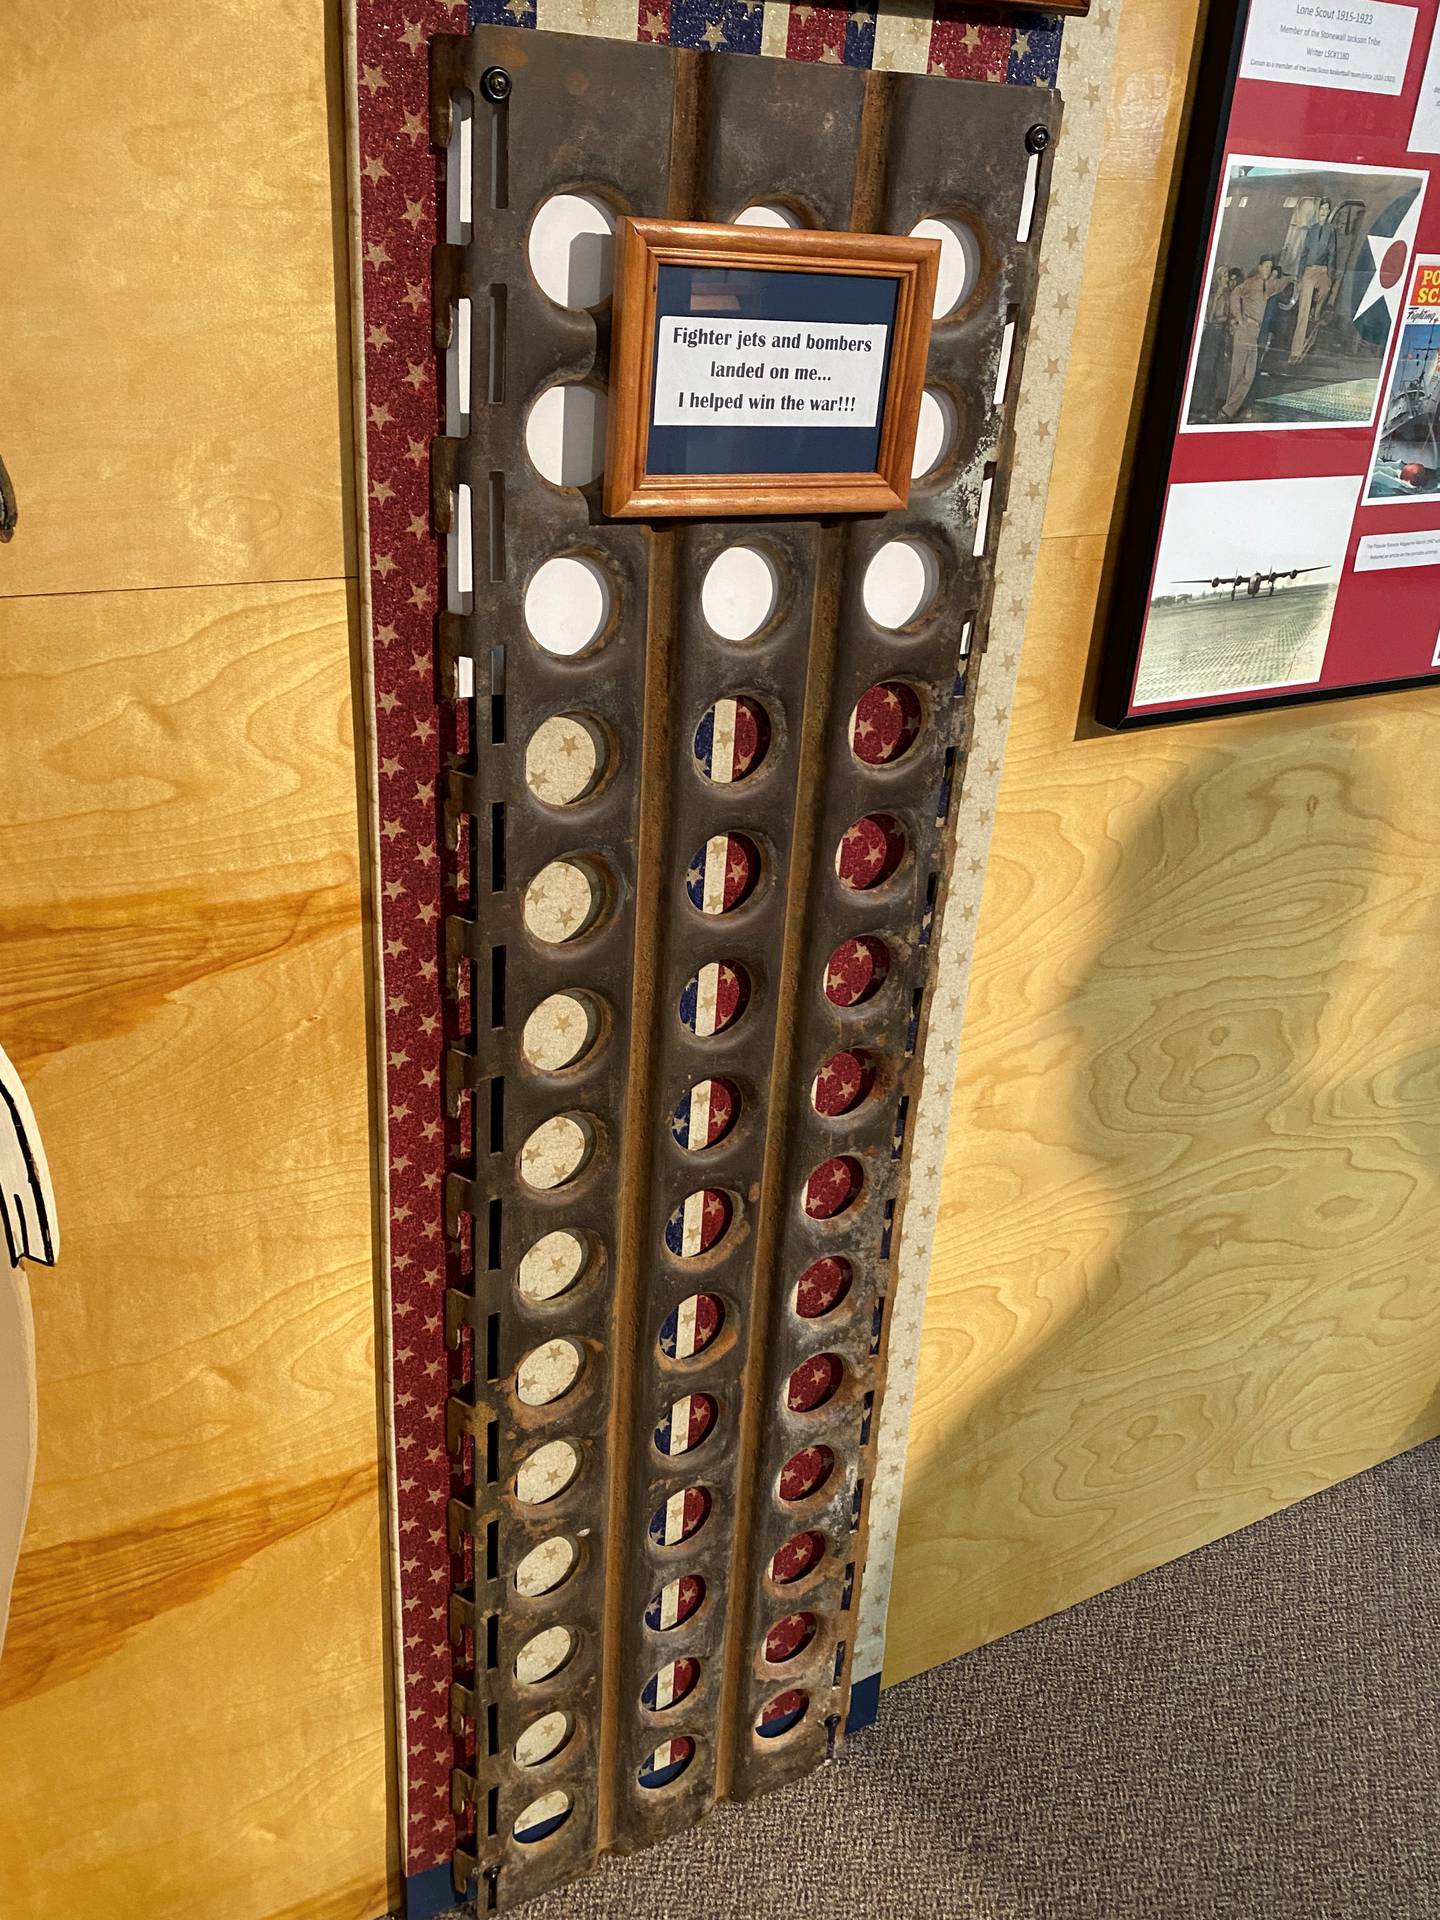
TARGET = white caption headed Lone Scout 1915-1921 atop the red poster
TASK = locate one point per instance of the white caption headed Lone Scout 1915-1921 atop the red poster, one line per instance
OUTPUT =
(1314, 43)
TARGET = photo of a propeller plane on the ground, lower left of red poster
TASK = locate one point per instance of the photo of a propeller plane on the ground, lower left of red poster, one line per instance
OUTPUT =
(1245, 587)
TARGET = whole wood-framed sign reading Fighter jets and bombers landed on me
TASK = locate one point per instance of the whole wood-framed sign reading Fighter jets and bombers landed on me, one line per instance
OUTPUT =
(763, 372)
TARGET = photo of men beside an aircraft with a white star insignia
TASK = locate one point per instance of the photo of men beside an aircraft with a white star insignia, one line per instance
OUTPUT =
(1303, 293)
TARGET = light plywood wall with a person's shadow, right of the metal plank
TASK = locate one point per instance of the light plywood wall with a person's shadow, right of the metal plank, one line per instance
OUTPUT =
(1188, 1264)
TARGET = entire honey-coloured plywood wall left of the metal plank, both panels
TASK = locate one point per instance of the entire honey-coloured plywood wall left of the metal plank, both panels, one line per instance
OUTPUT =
(193, 1698)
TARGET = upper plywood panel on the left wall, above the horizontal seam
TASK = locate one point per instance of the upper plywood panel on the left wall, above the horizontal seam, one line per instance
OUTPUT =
(176, 356)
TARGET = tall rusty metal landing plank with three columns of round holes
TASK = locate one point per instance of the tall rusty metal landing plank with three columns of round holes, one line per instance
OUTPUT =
(667, 132)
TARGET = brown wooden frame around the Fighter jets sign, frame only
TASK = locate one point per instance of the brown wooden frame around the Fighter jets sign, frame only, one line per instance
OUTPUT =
(644, 249)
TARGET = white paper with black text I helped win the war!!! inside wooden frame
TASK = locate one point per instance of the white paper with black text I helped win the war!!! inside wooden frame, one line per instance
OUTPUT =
(769, 373)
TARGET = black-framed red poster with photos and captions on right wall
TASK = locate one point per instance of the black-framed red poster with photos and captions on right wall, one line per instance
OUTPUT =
(1282, 535)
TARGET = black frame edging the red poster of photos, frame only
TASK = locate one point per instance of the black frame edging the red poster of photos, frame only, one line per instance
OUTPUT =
(1161, 400)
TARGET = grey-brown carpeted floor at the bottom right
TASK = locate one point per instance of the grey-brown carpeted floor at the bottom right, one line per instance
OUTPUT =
(1245, 1735)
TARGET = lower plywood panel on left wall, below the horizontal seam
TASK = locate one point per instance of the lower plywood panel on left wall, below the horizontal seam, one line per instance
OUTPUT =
(193, 1712)
